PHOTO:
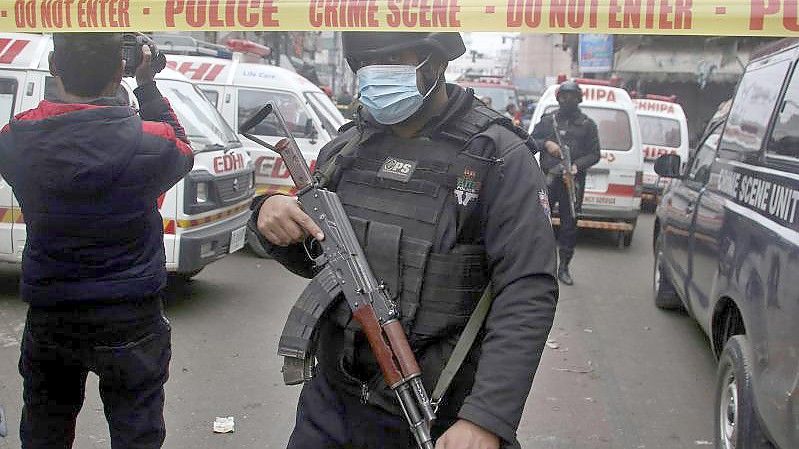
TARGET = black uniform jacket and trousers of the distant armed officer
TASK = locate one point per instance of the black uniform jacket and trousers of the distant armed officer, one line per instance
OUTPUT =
(579, 132)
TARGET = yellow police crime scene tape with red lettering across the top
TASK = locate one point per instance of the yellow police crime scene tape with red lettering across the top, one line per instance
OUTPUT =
(661, 17)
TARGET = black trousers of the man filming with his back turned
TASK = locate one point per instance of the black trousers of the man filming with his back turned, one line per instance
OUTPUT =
(130, 354)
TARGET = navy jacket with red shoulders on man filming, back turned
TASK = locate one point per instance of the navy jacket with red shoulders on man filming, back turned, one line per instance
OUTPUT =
(88, 177)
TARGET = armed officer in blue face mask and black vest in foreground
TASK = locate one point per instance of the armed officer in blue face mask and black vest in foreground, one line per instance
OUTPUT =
(446, 199)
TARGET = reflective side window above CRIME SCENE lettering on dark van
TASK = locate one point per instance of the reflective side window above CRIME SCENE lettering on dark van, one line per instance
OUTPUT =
(752, 108)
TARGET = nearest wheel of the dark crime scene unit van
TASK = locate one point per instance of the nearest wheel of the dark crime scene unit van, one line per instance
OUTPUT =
(737, 424)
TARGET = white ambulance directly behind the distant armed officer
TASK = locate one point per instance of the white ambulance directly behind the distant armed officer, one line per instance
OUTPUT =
(613, 186)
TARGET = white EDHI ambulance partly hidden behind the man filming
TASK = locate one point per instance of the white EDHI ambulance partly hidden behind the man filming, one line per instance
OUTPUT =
(205, 214)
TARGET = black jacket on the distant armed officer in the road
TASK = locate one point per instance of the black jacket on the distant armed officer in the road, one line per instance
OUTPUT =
(581, 137)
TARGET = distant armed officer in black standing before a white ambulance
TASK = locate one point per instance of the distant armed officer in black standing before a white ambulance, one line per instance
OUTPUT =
(567, 126)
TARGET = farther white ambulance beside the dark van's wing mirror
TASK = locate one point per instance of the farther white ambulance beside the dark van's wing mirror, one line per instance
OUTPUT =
(664, 130)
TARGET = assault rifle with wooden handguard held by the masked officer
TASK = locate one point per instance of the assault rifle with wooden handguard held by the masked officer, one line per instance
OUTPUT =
(347, 271)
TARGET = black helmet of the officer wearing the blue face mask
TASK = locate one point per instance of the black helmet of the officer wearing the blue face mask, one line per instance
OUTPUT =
(360, 45)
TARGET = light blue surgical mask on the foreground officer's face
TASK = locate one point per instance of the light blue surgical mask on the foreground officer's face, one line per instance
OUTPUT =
(390, 92)
